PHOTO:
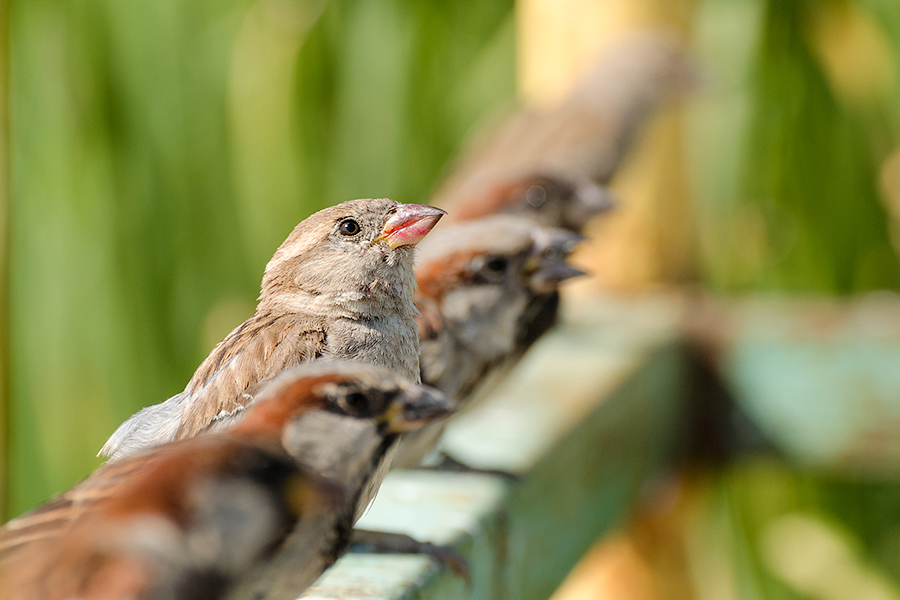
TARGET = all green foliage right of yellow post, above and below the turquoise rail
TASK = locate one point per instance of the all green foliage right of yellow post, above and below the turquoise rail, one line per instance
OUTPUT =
(790, 154)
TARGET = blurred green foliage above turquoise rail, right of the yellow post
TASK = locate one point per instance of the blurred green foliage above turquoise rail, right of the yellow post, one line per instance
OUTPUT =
(789, 143)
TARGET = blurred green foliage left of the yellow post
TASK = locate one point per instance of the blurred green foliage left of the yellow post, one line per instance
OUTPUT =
(162, 149)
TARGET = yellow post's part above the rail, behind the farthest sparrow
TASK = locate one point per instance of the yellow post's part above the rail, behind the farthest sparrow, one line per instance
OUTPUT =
(649, 240)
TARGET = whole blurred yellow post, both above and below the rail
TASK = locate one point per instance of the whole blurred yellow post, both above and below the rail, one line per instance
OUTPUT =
(648, 241)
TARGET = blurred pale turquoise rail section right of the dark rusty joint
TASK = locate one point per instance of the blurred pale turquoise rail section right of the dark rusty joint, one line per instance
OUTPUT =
(821, 378)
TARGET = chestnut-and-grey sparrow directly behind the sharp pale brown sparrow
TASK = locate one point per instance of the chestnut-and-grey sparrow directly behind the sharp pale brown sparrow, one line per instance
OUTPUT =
(487, 292)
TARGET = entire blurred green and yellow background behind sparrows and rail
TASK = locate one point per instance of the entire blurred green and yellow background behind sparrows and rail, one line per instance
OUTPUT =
(157, 151)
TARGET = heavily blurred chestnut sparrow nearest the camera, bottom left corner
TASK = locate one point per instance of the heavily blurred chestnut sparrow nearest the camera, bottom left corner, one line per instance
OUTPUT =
(136, 529)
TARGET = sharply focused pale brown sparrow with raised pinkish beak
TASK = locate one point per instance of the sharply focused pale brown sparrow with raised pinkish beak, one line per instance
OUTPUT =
(340, 286)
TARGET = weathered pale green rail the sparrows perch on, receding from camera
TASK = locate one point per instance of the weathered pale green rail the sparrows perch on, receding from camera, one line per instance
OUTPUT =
(583, 422)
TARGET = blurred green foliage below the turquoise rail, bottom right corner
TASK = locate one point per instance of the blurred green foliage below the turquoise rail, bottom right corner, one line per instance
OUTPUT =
(793, 534)
